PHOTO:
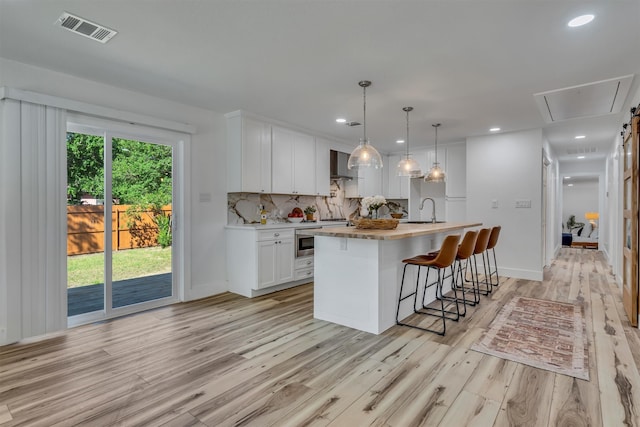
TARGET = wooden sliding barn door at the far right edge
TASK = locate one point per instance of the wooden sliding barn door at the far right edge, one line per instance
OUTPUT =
(630, 223)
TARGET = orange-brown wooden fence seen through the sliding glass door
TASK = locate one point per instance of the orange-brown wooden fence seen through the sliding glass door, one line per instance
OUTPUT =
(85, 229)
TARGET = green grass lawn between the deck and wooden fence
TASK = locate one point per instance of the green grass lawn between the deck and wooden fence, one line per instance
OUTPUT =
(88, 269)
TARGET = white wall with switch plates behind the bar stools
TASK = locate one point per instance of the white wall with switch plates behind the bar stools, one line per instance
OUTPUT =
(504, 168)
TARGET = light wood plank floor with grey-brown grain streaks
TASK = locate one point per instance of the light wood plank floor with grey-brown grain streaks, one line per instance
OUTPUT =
(228, 360)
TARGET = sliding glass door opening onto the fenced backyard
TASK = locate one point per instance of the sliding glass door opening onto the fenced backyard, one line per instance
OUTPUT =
(120, 223)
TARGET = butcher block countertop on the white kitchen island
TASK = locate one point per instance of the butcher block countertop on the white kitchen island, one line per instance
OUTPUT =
(403, 231)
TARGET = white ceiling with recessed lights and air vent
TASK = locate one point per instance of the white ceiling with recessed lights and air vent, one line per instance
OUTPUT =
(469, 65)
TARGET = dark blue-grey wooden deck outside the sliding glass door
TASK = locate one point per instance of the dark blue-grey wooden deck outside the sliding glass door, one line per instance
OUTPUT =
(85, 299)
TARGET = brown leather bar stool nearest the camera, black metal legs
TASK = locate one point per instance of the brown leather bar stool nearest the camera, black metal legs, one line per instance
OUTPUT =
(443, 260)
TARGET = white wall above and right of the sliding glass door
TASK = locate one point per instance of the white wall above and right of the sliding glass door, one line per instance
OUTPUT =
(206, 165)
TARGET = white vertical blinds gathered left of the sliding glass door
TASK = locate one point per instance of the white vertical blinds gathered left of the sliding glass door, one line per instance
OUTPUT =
(33, 298)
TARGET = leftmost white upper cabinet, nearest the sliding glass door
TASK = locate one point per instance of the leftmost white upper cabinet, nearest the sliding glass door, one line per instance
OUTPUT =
(249, 153)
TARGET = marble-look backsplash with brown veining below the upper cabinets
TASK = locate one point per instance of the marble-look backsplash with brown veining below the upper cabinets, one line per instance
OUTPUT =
(242, 208)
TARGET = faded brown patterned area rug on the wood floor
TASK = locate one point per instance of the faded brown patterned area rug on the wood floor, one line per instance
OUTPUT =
(544, 334)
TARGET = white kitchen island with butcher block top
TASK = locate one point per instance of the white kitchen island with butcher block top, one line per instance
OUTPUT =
(357, 272)
